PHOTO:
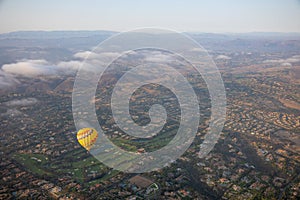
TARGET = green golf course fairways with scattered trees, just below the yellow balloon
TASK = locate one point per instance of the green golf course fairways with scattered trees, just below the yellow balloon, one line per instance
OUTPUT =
(77, 164)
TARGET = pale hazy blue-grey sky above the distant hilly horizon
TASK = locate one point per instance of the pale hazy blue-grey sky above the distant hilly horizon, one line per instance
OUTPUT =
(180, 15)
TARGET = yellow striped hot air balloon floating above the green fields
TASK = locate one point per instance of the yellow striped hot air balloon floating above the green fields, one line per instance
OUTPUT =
(87, 137)
